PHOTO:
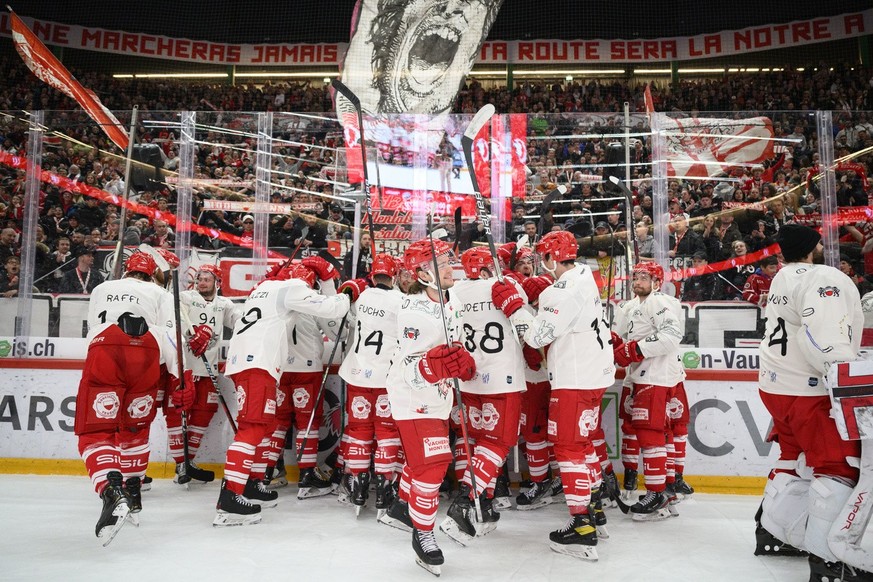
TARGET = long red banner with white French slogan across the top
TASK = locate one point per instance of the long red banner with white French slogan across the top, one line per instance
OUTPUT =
(545, 51)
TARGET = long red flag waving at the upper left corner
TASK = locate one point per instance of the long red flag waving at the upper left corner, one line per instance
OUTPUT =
(50, 70)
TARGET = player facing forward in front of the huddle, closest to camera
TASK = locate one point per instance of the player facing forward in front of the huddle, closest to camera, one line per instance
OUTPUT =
(420, 391)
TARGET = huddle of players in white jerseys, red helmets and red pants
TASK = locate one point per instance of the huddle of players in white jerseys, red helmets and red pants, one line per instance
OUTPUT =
(525, 355)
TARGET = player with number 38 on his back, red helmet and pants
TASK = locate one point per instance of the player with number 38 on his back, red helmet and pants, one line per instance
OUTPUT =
(492, 397)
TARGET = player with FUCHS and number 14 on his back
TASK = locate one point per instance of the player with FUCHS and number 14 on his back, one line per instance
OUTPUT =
(365, 369)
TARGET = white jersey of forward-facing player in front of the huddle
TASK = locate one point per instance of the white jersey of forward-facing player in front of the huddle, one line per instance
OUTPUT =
(420, 328)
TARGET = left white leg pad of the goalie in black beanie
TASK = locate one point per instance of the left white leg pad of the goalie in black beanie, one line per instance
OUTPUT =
(786, 507)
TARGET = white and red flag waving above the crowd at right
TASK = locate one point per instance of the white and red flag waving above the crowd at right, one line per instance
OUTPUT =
(701, 147)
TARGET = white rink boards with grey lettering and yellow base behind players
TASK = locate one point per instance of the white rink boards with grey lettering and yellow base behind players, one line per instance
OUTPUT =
(727, 446)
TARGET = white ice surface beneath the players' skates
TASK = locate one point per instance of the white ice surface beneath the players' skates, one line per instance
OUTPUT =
(47, 532)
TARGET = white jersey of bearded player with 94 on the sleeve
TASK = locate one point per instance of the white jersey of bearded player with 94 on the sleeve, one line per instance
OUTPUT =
(218, 314)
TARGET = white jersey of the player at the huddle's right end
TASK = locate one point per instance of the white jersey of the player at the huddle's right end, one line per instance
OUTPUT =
(658, 326)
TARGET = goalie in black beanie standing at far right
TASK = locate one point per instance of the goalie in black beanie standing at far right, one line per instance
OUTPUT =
(814, 318)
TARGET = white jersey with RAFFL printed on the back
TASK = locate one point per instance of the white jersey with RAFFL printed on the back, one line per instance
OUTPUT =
(111, 299)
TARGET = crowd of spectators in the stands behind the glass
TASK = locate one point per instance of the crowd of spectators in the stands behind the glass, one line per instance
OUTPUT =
(711, 220)
